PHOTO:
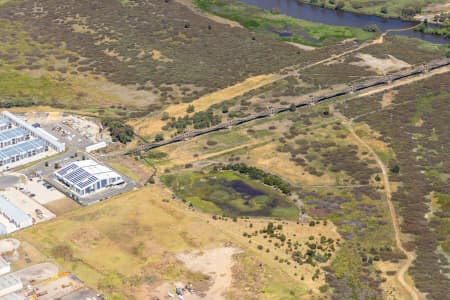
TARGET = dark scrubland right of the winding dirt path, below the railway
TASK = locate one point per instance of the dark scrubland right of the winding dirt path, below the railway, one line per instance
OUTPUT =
(422, 158)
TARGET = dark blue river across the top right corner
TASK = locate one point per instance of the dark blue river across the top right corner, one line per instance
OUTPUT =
(340, 18)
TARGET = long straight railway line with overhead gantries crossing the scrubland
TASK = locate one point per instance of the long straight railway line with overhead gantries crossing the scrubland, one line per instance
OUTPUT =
(270, 111)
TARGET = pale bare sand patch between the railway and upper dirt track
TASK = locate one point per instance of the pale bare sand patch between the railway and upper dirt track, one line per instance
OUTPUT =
(380, 65)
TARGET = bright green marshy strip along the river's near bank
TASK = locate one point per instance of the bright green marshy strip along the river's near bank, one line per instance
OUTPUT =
(280, 26)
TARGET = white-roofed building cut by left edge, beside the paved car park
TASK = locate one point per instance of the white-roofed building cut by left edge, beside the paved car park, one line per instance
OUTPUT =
(16, 217)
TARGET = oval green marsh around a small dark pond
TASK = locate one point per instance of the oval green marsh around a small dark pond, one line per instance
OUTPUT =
(228, 193)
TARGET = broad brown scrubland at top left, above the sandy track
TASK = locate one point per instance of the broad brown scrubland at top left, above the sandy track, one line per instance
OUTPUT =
(187, 56)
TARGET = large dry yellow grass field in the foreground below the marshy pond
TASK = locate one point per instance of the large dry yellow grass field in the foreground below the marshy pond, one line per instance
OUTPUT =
(129, 243)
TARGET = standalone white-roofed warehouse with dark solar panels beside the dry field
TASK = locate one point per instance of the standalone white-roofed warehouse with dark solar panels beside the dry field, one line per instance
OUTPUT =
(87, 176)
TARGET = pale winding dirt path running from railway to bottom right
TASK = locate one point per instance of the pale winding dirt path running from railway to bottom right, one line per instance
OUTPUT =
(410, 288)
